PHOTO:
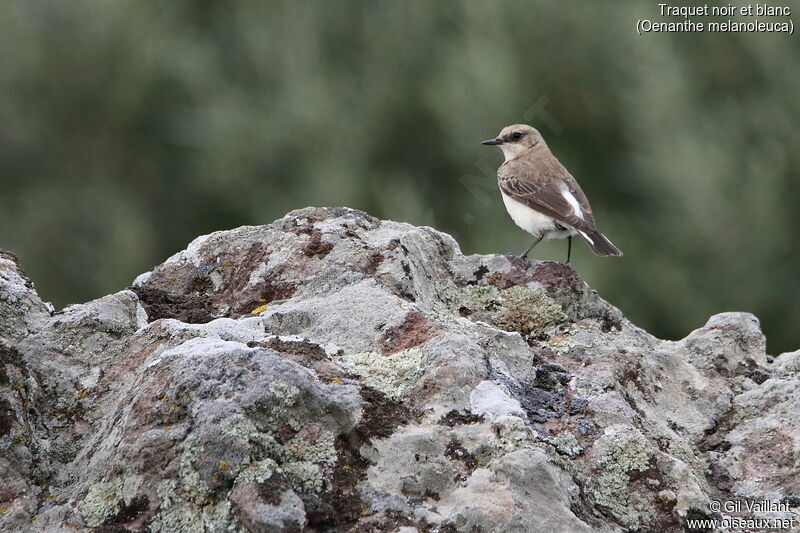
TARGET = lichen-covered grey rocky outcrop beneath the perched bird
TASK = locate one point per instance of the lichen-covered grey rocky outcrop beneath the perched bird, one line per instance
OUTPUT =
(334, 372)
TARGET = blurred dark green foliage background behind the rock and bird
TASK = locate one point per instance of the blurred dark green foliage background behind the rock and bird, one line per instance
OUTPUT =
(127, 128)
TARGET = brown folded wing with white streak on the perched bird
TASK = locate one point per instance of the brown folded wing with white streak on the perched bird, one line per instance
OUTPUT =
(551, 191)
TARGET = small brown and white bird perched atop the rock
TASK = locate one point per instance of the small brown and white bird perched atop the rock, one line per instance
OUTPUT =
(540, 194)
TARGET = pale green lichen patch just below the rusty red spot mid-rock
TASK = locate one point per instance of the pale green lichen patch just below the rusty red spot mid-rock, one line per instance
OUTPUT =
(390, 374)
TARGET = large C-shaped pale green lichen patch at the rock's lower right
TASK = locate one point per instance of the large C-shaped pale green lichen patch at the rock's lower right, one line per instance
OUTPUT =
(629, 453)
